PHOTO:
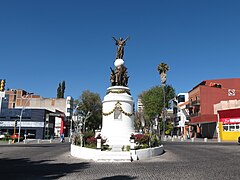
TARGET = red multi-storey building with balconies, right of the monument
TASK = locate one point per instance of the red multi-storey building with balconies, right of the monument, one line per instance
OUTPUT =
(202, 98)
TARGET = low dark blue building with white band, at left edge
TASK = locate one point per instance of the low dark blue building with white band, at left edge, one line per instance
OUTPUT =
(35, 122)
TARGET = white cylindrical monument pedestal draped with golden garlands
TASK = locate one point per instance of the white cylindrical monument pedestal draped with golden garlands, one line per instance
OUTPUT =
(118, 116)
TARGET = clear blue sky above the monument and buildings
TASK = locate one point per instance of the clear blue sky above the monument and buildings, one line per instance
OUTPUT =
(45, 42)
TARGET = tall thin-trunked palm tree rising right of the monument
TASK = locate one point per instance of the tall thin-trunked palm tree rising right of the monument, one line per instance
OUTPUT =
(162, 69)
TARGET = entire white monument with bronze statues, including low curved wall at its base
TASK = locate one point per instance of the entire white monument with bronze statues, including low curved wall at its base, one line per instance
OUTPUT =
(117, 120)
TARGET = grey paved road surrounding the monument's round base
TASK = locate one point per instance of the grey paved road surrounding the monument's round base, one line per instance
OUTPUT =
(182, 160)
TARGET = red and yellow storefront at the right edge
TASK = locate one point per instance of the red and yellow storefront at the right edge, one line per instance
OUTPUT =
(229, 124)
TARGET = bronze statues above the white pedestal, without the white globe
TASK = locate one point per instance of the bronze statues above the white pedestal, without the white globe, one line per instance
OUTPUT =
(119, 76)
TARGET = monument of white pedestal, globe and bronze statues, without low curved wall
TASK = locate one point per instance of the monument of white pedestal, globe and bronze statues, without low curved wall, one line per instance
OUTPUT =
(118, 104)
